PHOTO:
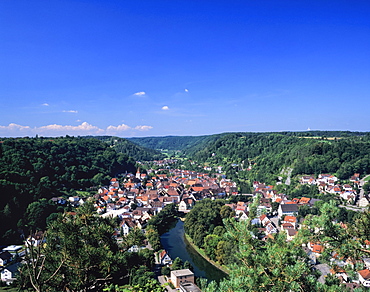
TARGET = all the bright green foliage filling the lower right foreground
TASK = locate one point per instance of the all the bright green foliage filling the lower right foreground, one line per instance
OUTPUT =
(279, 265)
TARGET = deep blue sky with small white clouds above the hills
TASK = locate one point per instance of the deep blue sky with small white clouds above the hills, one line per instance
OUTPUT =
(156, 68)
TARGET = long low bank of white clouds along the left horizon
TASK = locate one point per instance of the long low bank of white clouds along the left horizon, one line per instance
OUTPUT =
(14, 130)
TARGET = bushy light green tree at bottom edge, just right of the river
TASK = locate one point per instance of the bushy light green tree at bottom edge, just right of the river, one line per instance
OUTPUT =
(277, 265)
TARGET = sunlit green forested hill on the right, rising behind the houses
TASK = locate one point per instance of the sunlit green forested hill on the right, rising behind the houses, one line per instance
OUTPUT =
(262, 156)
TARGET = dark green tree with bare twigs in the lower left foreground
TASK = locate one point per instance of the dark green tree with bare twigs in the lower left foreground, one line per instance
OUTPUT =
(81, 254)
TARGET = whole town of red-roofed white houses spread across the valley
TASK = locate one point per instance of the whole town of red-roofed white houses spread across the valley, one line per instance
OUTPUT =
(135, 198)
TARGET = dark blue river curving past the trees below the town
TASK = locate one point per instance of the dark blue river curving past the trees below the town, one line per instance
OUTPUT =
(175, 244)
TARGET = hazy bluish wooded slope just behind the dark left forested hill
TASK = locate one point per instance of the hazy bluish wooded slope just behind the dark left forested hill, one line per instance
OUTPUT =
(135, 150)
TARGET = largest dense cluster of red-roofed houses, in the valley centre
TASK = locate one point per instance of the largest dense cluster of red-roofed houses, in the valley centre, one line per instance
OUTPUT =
(139, 197)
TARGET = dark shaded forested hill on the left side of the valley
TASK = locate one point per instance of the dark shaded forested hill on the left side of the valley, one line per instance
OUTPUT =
(35, 168)
